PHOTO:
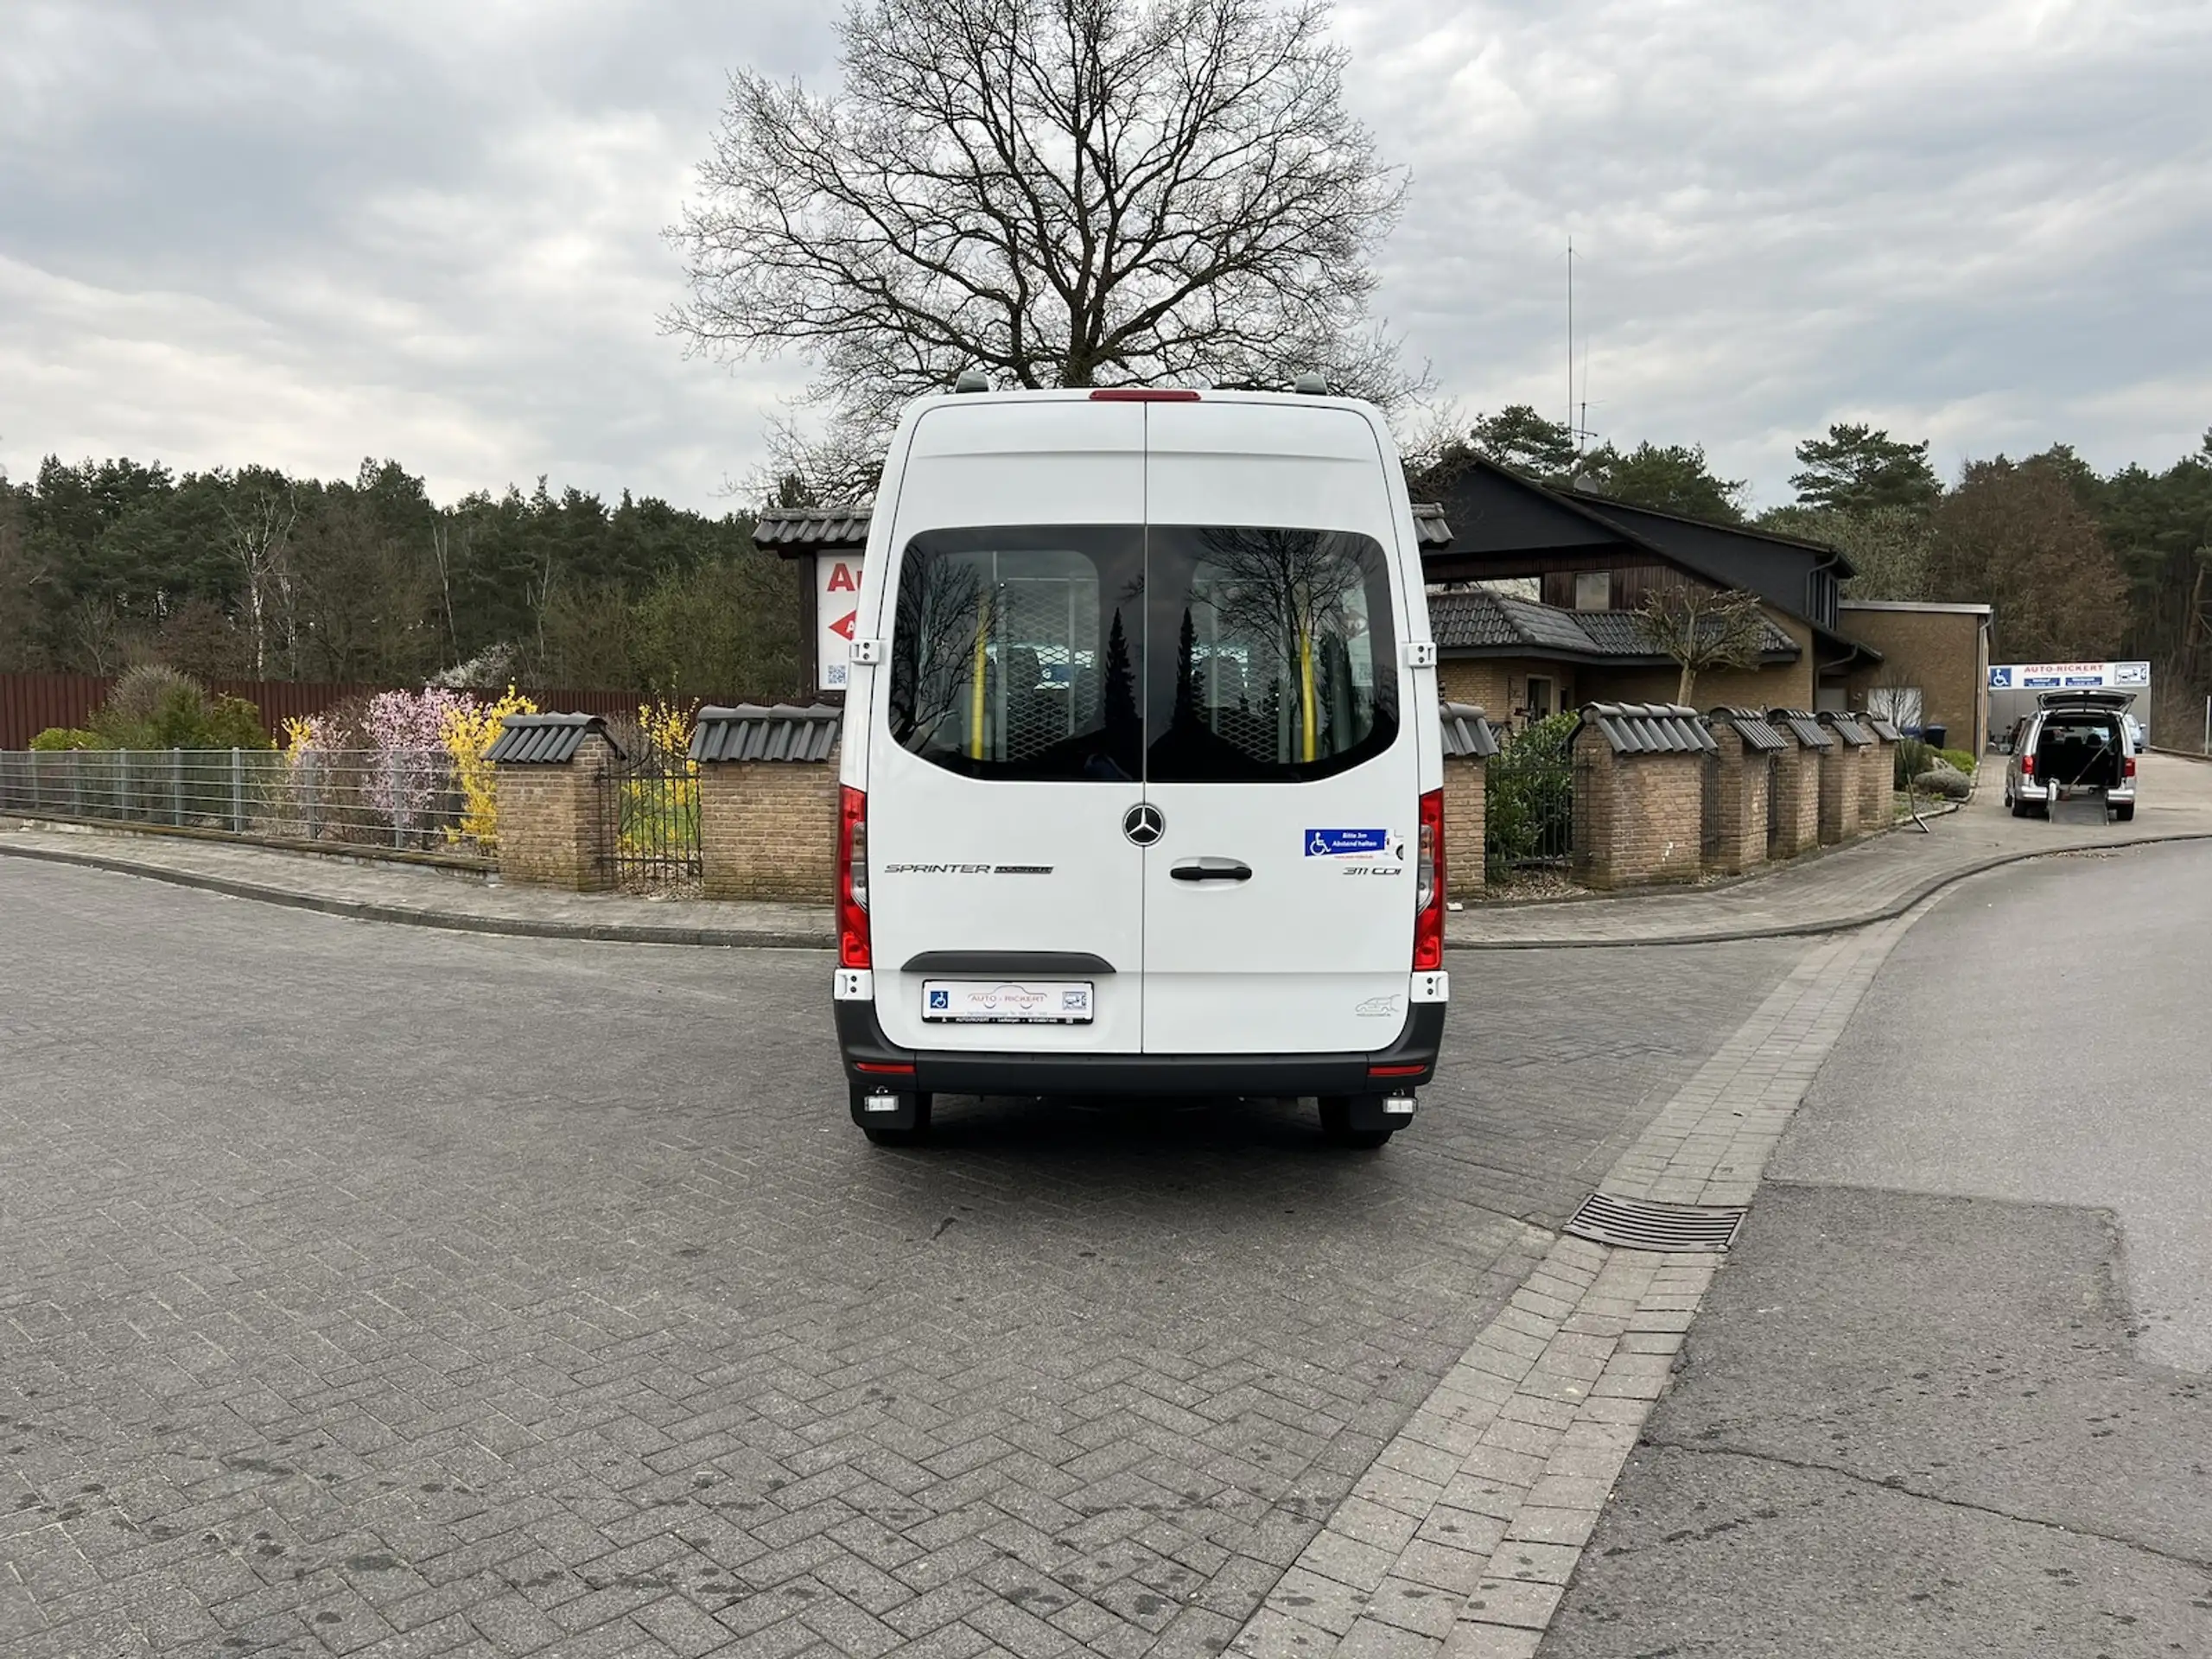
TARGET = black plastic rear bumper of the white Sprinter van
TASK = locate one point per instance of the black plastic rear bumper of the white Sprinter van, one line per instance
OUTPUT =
(939, 1072)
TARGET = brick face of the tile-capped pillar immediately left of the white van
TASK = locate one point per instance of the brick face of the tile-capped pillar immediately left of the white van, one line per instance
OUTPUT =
(769, 831)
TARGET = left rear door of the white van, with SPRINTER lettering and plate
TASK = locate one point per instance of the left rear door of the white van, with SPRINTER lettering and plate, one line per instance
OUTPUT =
(1008, 904)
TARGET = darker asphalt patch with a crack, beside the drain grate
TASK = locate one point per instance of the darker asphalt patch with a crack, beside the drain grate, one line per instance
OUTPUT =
(1910, 1426)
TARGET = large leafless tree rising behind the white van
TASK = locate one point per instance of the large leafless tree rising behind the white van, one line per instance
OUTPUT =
(1054, 191)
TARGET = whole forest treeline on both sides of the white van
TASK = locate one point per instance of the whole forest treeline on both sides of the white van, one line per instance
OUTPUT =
(253, 574)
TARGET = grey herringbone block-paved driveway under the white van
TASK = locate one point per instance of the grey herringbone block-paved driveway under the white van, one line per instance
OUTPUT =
(373, 1291)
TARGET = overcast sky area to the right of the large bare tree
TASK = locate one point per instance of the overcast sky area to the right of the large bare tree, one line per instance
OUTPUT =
(1974, 222)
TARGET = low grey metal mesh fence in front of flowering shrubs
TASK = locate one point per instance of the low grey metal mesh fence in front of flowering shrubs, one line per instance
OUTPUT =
(410, 800)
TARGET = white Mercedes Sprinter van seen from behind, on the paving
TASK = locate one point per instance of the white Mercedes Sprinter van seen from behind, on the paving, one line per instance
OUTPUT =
(1142, 775)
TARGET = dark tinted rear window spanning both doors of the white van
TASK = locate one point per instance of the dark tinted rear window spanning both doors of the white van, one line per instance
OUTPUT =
(1112, 654)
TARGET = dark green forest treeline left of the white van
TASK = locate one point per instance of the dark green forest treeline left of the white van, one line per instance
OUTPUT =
(255, 574)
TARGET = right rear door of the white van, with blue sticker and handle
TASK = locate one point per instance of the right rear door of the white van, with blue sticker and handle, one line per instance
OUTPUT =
(1282, 749)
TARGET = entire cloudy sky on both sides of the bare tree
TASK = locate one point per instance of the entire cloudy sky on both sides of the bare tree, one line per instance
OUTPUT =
(430, 231)
